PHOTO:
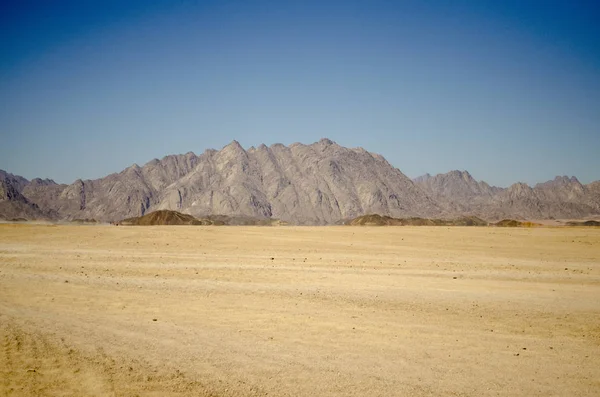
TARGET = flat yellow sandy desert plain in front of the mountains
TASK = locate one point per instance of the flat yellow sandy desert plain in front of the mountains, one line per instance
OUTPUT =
(299, 311)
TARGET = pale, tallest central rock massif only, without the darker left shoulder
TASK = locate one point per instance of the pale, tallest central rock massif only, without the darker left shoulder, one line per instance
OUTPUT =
(304, 184)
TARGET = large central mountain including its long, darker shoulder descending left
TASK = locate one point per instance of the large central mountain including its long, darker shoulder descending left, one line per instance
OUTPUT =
(320, 183)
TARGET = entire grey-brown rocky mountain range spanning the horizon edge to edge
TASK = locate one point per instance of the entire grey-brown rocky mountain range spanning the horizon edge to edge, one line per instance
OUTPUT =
(320, 183)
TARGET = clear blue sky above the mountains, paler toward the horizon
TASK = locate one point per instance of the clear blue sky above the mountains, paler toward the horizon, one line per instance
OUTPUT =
(508, 90)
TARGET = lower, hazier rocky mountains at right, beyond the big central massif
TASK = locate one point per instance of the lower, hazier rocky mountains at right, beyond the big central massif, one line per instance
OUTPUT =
(563, 197)
